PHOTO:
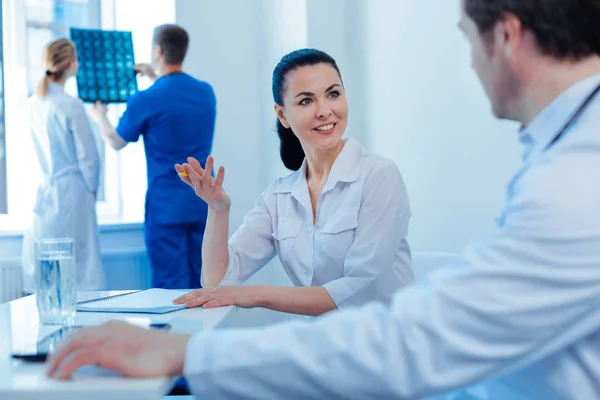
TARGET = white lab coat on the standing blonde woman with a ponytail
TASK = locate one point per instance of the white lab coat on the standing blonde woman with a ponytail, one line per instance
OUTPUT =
(66, 198)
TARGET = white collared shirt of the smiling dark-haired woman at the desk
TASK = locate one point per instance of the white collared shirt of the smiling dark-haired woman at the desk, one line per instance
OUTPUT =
(357, 249)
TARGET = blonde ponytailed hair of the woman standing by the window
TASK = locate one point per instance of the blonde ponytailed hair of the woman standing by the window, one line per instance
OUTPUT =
(58, 56)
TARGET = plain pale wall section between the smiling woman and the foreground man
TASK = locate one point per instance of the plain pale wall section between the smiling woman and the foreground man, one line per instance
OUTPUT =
(428, 113)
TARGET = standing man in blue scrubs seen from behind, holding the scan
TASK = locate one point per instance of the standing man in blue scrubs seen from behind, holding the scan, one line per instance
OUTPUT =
(176, 117)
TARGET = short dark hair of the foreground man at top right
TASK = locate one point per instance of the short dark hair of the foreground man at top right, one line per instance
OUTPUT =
(564, 29)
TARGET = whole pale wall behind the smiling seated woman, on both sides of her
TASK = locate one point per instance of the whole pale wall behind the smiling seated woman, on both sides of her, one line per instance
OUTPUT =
(412, 94)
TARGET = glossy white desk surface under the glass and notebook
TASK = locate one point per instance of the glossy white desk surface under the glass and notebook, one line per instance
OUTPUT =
(20, 380)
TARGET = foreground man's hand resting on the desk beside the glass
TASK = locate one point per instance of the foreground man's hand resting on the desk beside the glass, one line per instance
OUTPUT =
(122, 347)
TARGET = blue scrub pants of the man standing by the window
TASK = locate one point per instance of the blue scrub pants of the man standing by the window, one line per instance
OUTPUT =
(175, 253)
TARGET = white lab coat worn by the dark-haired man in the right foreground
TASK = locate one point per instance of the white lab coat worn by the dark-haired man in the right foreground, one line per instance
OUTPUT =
(522, 314)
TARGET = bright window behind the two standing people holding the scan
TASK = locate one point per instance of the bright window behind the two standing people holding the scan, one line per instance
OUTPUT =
(29, 26)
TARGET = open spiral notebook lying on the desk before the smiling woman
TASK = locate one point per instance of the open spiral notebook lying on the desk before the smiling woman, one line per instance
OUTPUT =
(151, 301)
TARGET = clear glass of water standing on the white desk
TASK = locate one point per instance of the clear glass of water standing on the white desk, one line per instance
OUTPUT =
(55, 281)
